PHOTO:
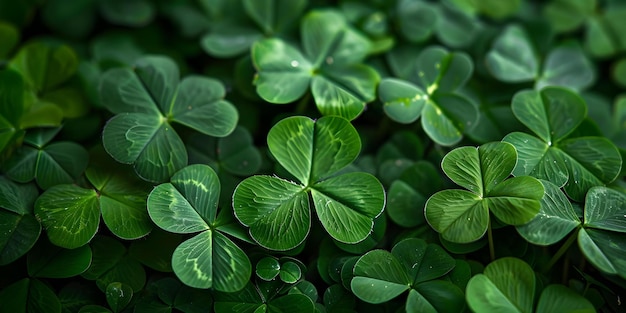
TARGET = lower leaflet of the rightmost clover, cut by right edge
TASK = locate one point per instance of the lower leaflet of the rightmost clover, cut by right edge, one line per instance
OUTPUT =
(604, 249)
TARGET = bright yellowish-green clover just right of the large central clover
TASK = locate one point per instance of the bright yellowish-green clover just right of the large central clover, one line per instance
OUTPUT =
(462, 216)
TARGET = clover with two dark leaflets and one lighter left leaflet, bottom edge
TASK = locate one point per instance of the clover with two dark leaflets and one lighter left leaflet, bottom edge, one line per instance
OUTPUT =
(412, 265)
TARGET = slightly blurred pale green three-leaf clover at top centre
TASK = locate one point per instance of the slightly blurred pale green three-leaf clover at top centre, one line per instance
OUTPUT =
(329, 63)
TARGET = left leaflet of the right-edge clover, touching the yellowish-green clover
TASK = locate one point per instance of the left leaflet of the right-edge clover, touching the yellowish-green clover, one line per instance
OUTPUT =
(556, 218)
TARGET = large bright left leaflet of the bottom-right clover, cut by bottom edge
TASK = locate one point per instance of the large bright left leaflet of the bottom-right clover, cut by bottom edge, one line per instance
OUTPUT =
(507, 285)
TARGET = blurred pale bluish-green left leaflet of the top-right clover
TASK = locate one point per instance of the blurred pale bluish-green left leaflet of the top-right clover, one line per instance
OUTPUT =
(512, 57)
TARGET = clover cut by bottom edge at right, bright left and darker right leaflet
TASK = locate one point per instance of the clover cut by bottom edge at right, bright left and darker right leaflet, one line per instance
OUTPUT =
(491, 291)
